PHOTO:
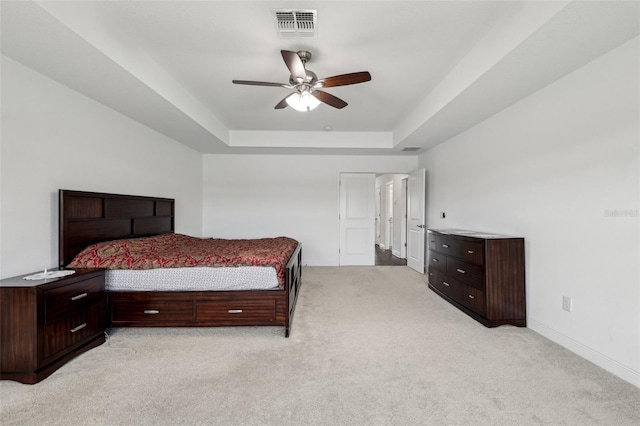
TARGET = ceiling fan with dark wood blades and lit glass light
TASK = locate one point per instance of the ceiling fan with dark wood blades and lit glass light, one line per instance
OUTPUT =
(306, 85)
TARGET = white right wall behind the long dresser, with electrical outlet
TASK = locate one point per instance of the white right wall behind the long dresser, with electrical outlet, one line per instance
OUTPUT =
(560, 168)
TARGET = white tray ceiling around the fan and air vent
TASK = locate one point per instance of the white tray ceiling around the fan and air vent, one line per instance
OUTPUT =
(438, 67)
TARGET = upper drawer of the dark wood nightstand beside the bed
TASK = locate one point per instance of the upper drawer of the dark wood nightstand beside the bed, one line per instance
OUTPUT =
(62, 301)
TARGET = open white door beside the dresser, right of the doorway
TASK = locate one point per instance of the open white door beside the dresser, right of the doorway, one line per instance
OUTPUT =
(416, 220)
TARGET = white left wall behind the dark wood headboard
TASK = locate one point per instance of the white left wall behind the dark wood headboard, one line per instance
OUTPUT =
(55, 138)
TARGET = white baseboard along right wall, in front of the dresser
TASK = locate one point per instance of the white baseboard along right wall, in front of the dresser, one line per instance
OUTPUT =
(586, 352)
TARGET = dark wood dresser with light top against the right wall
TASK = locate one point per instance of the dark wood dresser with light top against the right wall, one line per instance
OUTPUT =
(481, 274)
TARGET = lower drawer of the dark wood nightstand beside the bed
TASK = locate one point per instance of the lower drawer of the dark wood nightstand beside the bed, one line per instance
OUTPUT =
(72, 329)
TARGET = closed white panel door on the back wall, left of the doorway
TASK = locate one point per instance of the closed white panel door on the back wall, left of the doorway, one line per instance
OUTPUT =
(357, 218)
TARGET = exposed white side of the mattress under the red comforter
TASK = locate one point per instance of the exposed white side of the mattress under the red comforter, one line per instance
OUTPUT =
(192, 279)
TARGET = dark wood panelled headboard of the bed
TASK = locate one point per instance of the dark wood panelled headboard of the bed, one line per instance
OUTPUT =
(90, 217)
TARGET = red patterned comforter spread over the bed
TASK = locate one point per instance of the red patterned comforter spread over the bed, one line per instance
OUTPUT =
(179, 251)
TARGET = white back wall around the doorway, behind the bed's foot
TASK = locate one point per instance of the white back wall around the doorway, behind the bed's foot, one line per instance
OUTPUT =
(251, 196)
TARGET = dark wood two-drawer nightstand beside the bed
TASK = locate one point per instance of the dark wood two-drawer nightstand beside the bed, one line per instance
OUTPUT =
(45, 323)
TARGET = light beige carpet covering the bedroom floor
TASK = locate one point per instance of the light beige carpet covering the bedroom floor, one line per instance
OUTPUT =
(369, 345)
